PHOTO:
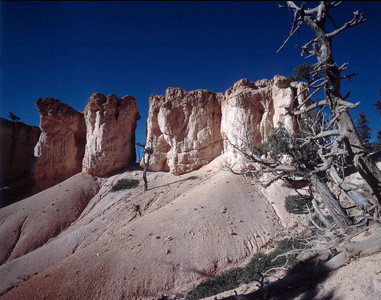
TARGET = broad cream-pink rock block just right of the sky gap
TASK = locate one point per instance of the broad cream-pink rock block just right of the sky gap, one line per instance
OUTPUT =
(184, 129)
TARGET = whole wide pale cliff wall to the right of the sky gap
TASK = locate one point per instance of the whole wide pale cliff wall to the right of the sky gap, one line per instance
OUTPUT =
(189, 129)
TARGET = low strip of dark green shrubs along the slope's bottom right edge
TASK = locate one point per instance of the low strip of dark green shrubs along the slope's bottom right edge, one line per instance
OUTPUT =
(252, 271)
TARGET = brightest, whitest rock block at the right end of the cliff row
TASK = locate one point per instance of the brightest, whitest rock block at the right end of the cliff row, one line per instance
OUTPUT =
(251, 109)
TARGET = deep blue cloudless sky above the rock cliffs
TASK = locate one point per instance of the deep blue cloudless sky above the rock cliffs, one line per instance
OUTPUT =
(68, 50)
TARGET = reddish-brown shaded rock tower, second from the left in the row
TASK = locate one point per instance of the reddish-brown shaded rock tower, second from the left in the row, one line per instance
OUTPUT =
(61, 146)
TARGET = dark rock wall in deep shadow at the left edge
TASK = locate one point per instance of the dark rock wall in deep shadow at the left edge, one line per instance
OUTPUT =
(17, 141)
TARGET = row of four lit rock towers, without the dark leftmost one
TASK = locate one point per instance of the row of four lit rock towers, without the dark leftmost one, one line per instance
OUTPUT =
(186, 129)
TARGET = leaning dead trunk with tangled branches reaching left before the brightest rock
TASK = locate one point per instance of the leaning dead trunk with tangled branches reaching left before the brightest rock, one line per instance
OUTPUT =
(300, 169)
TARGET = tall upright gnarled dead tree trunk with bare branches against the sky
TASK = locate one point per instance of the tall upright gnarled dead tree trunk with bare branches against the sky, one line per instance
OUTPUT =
(327, 76)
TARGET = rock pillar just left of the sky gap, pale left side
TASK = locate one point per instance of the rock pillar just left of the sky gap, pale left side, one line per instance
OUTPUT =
(111, 124)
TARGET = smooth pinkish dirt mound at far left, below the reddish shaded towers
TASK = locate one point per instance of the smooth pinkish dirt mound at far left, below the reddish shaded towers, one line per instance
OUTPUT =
(29, 224)
